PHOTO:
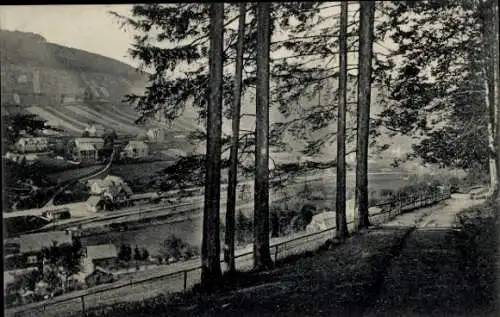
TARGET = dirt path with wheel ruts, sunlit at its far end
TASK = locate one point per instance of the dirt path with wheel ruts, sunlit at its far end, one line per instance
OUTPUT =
(429, 277)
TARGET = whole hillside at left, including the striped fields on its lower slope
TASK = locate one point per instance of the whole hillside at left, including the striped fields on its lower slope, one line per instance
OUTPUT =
(70, 88)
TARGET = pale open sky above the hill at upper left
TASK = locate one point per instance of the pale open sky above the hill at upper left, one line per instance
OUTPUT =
(87, 27)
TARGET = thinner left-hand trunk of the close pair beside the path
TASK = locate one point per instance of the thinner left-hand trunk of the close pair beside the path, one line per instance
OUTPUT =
(340, 200)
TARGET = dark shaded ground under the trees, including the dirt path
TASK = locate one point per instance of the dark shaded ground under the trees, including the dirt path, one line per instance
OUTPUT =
(378, 272)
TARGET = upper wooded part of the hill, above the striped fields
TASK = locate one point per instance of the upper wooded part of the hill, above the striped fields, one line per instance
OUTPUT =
(35, 71)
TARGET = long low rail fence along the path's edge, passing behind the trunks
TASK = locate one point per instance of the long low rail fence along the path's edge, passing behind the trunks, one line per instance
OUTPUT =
(185, 278)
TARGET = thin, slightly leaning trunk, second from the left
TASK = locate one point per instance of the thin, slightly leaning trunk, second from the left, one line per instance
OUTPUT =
(233, 156)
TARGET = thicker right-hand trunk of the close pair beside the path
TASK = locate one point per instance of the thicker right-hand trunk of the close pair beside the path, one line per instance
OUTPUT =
(367, 12)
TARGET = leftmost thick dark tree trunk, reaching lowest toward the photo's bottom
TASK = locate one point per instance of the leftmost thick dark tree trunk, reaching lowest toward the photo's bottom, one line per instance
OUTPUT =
(210, 253)
